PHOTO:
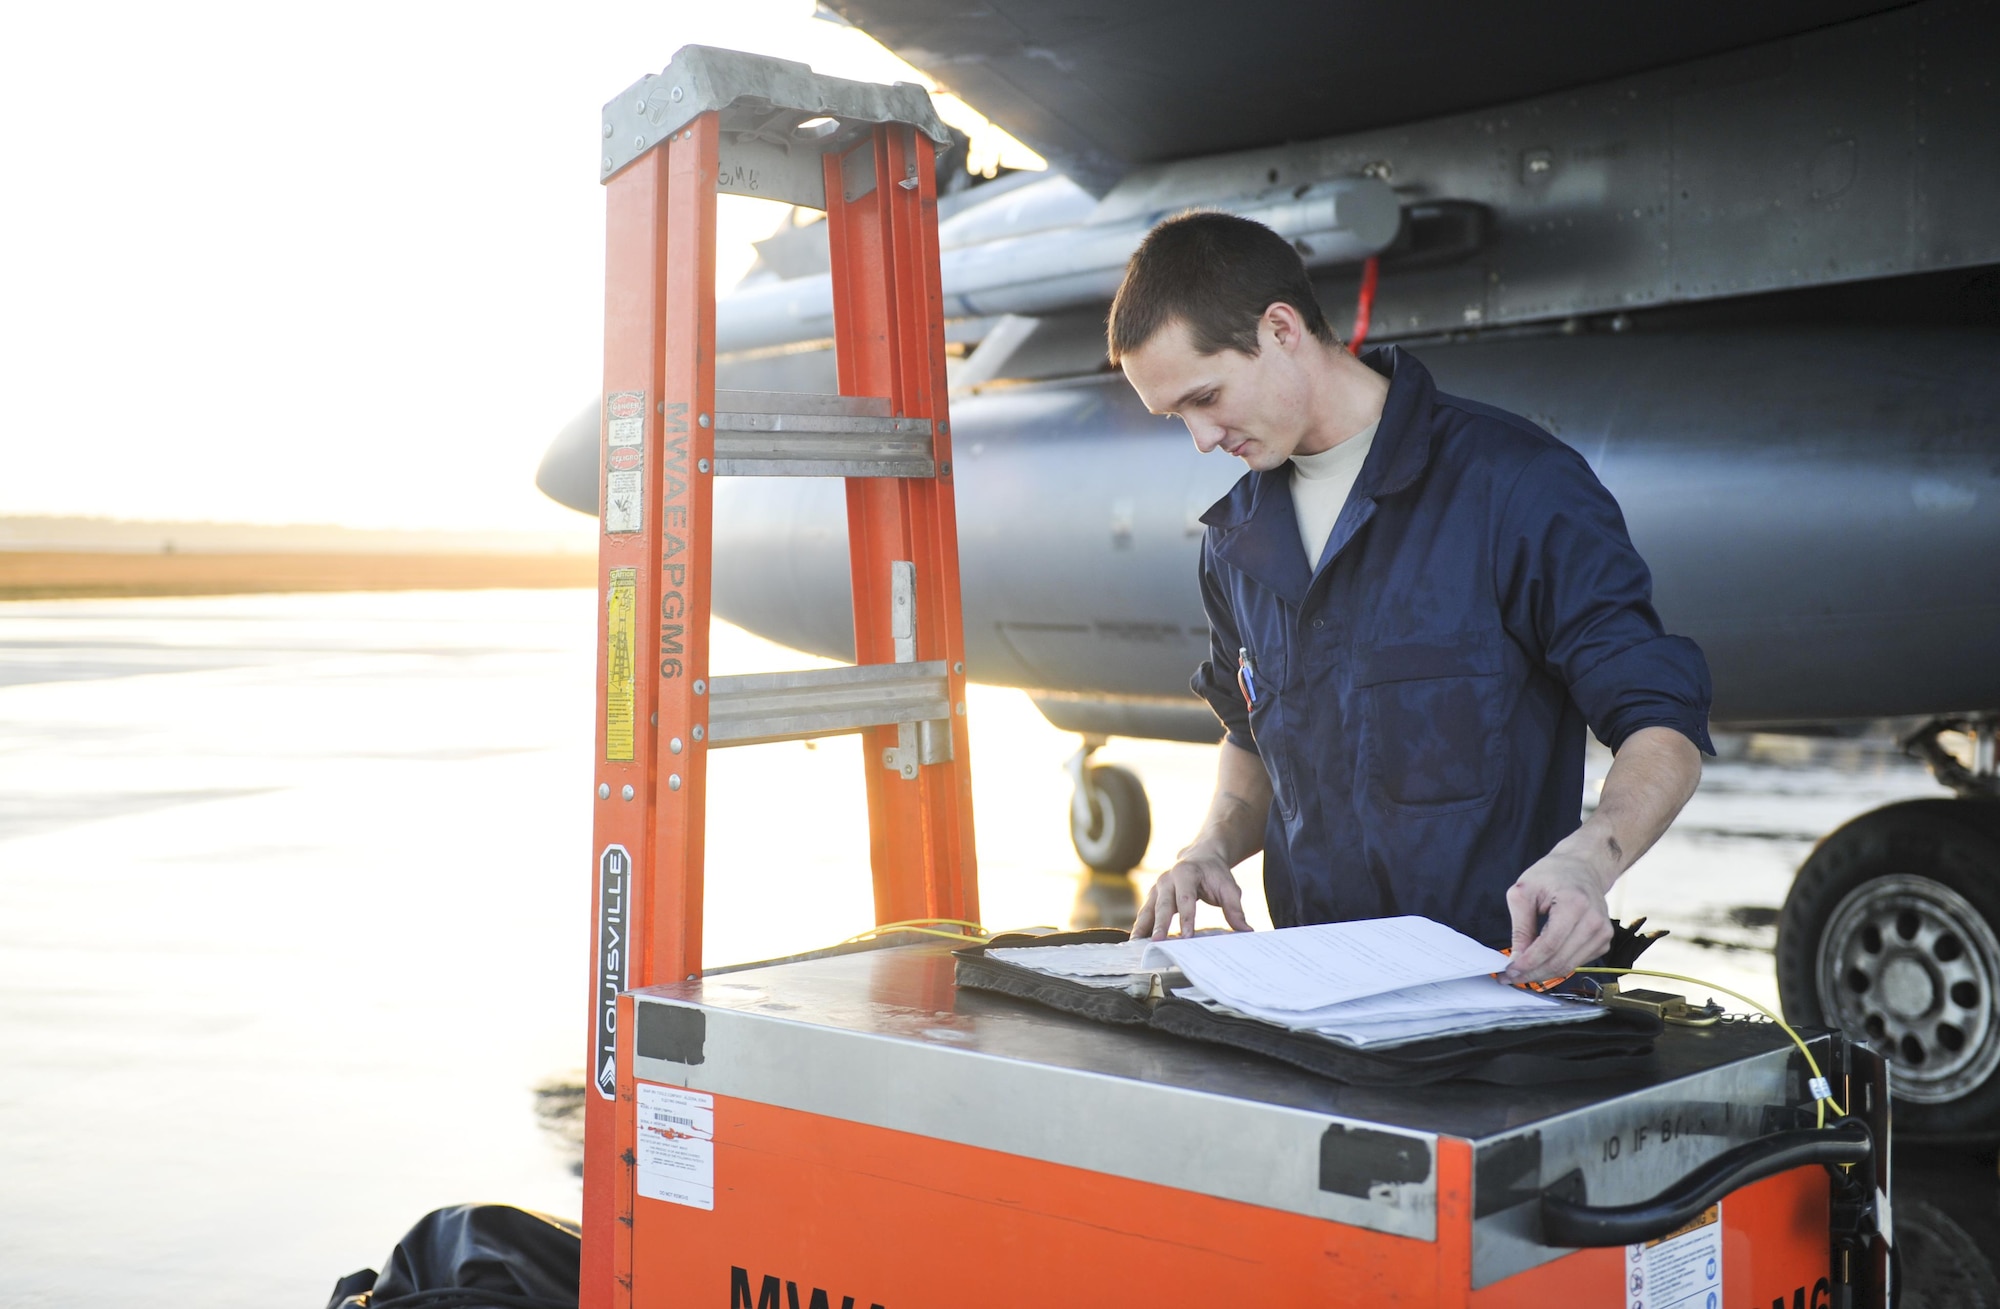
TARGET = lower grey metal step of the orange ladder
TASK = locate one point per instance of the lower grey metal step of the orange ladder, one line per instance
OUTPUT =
(759, 708)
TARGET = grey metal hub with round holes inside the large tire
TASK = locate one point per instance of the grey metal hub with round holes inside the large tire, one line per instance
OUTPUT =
(1913, 968)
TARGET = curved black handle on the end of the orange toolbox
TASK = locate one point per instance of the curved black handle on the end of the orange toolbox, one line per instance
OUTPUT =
(1571, 1222)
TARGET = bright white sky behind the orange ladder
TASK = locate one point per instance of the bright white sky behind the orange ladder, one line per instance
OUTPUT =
(327, 263)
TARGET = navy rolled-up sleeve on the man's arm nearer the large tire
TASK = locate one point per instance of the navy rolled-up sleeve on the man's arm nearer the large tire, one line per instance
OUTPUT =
(1579, 597)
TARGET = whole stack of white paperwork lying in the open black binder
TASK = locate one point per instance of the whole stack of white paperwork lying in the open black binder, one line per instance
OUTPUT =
(1369, 984)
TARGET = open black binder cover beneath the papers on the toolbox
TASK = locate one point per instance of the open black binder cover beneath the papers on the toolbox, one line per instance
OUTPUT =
(1611, 1046)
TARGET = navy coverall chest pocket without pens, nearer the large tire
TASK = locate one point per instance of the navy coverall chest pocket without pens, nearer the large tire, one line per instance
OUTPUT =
(1433, 720)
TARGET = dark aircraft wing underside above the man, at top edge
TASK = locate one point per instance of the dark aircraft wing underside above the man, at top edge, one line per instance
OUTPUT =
(1105, 85)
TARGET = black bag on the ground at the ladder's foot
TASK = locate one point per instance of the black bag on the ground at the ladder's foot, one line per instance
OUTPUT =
(473, 1258)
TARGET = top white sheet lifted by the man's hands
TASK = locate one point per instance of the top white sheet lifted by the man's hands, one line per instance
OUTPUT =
(1329, 964)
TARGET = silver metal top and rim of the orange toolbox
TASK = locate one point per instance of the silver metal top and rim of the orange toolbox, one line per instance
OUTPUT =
(885, 1038)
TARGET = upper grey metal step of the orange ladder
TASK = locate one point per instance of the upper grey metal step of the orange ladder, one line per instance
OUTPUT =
(781, 433)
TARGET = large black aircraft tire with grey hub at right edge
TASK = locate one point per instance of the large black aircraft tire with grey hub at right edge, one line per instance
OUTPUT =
(1893, 934)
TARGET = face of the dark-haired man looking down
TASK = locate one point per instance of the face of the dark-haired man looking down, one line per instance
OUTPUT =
(1249, 405)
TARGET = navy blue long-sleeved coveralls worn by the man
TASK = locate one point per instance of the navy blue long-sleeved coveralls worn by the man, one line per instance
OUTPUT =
(1423, 696)
